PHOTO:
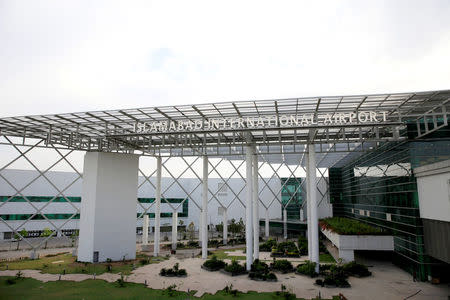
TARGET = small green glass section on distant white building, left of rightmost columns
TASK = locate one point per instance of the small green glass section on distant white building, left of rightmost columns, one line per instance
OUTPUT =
(291, 197)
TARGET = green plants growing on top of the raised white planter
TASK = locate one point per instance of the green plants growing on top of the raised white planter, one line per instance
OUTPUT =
(346, 226)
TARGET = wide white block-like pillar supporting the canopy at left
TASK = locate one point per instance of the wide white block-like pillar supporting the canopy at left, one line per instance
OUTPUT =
(108, 209)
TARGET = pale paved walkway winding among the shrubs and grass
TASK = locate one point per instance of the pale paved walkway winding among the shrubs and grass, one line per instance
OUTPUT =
(387, 282)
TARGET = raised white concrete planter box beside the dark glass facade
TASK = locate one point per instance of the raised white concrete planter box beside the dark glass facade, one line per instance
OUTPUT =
(346, 244)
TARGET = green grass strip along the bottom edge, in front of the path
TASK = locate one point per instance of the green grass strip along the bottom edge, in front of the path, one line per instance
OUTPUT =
(33, 289)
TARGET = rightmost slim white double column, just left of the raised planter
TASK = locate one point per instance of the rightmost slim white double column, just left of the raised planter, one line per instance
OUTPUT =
(312, 191)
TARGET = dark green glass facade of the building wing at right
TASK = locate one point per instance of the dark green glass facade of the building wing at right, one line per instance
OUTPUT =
(379, 188)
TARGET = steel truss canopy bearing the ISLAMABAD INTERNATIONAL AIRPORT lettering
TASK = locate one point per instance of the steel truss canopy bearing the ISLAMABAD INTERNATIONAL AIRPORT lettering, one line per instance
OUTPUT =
(335, 124)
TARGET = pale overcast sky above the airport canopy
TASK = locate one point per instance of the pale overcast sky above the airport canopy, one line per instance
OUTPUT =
(65, 56)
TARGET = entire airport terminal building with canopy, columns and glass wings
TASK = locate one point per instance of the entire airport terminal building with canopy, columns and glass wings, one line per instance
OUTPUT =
(382, 159)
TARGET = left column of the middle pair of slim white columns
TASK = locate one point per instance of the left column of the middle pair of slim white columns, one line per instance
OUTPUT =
(249, 207)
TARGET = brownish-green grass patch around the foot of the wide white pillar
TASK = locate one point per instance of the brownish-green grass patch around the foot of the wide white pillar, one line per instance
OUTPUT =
(57, 264)
